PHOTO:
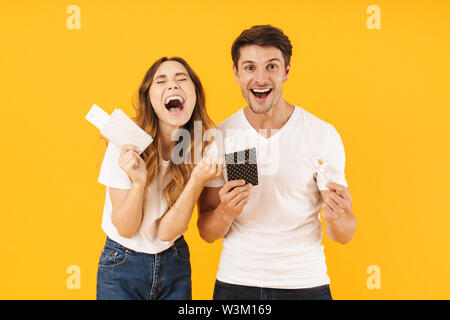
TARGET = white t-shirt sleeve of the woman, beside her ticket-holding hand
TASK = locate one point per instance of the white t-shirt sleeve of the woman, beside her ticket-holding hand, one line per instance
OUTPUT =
(111, 175)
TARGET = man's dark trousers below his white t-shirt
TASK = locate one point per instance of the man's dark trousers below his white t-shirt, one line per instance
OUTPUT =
(228, 291)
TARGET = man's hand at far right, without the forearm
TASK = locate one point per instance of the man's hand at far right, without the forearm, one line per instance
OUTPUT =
(337, 203)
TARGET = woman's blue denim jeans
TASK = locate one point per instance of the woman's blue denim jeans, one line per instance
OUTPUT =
(124, 274)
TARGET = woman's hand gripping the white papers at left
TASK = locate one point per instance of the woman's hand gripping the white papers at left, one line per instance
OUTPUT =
(131, 162)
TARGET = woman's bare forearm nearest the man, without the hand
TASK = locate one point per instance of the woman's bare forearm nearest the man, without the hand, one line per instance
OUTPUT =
(175, 222)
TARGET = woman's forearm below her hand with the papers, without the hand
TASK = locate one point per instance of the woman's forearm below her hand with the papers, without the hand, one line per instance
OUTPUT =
(128, 216)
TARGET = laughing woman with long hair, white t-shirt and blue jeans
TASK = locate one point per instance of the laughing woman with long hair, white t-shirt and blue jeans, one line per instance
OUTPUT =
(150, 197)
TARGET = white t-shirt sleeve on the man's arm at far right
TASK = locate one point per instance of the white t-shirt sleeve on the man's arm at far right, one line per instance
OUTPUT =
(334, 155)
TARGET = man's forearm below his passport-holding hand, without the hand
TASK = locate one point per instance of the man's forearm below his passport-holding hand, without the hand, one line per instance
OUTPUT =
(213, 225)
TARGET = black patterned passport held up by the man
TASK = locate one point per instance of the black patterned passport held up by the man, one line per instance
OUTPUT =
(242, 165)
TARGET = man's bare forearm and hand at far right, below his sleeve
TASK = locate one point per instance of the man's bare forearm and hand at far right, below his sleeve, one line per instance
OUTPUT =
(338, 213)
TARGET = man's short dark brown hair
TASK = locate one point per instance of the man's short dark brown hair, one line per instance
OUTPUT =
(264, 36)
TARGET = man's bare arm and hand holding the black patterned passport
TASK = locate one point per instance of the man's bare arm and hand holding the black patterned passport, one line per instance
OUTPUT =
(219, 206)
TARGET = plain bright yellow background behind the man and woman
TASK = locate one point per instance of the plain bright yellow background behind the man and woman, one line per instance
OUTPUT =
(386, 92)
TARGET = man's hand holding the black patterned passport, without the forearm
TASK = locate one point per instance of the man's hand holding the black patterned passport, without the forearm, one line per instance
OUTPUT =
(233, 197)
